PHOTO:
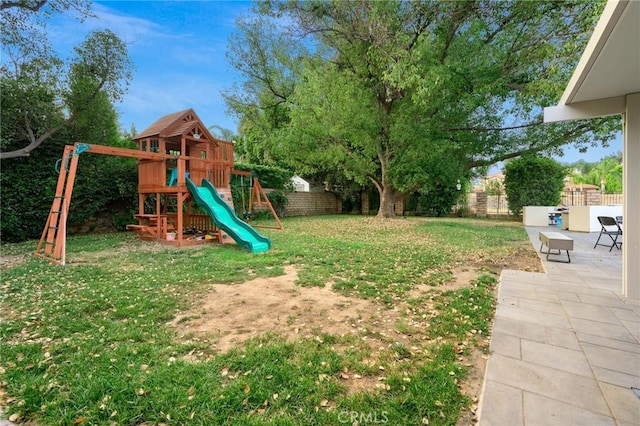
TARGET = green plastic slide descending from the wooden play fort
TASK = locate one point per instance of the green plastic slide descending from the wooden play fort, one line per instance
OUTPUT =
(226, 219)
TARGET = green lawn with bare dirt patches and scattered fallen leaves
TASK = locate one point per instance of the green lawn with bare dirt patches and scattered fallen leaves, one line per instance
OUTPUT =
(389, 322)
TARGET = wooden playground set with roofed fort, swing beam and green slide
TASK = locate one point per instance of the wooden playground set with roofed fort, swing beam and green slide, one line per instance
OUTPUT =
(184, 189)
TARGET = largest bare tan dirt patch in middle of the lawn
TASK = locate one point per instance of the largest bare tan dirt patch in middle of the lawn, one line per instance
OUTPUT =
(232, 314)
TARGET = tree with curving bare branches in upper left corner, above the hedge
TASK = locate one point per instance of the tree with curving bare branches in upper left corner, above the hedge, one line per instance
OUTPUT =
(46, 93)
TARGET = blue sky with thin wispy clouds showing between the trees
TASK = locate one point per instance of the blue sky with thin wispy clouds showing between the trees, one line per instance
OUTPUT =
(179, 52)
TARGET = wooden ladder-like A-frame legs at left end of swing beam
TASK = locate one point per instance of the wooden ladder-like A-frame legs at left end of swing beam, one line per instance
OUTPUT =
(53, 240)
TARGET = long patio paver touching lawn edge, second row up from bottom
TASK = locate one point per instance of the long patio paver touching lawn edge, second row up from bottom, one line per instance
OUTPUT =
(555, 384)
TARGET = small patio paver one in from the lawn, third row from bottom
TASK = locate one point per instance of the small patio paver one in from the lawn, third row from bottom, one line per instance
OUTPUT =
(568, 360)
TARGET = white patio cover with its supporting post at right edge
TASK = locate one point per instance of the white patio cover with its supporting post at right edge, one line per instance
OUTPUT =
(607, 82)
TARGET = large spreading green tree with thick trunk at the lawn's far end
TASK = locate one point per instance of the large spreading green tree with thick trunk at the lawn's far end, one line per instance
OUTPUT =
(404, 94)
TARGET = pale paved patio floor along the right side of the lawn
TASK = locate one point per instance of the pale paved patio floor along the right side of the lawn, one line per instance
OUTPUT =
(565, 345)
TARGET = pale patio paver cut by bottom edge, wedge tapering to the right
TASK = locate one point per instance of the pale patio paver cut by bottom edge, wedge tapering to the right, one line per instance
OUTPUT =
(541, 411)
